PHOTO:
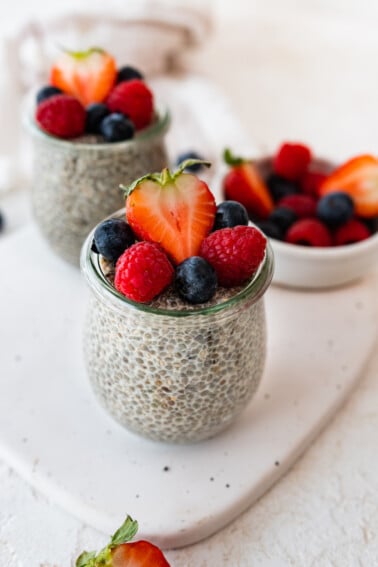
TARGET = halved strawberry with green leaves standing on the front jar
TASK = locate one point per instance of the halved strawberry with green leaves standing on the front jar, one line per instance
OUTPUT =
(174, 209)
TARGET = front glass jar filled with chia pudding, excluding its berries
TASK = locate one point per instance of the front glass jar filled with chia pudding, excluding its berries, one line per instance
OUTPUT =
(174, 375)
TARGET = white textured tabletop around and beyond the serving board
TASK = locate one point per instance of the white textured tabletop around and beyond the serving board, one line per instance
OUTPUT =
(294, 72)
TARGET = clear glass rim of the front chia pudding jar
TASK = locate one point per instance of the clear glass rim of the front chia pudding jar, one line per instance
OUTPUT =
(91, 269)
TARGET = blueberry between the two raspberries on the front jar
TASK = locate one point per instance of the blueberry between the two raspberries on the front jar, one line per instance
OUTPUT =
(195, 280)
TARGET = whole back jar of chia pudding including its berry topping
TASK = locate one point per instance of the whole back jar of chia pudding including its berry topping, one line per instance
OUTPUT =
(93, 126)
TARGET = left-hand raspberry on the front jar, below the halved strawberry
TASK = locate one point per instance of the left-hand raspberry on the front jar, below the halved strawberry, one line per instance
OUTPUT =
(143, 271)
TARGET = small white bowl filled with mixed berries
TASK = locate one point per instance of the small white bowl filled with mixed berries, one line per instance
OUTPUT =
(321, 218)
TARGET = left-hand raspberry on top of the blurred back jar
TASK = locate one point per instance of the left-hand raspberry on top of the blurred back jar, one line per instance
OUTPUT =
(61, 115)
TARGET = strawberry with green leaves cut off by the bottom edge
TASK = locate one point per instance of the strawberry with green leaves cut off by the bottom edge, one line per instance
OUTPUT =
(121, 552)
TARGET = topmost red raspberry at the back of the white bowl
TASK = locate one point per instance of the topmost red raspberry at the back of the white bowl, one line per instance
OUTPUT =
(291, 161)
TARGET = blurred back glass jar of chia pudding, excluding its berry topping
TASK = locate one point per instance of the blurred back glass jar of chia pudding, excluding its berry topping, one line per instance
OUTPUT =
(76, 184)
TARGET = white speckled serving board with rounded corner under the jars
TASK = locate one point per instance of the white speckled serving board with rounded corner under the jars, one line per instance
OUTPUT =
(54, 433)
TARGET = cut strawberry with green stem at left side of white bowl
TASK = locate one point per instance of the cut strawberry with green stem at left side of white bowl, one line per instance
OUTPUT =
(244, 184)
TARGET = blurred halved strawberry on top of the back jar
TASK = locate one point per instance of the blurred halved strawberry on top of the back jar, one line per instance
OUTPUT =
(87, 75)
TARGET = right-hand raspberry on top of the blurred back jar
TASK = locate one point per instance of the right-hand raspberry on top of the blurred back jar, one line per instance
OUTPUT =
(134, 99)
